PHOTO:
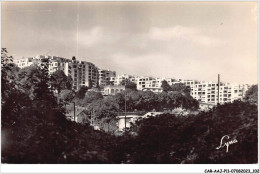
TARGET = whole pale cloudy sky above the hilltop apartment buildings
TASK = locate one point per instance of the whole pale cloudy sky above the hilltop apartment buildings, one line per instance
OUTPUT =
(189, 40)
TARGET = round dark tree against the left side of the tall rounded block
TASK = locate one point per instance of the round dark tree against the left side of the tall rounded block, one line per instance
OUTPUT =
(59, 81)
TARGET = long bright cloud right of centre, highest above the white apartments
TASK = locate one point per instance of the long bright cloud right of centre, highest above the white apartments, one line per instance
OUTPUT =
(181, 33)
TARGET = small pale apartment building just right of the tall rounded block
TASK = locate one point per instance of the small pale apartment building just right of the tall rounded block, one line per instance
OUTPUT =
(105, 77)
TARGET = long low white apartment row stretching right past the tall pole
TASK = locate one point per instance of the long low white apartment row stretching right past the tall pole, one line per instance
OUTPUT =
(204, 92)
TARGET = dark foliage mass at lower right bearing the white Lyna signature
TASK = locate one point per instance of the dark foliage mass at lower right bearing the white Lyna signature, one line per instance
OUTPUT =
(193, 138)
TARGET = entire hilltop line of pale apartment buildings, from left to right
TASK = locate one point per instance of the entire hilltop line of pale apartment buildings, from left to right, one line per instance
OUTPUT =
(87, 74)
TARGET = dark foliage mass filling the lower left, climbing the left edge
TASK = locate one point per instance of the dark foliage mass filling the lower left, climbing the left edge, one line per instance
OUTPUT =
(34, 128)
